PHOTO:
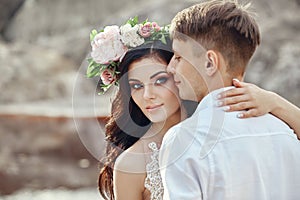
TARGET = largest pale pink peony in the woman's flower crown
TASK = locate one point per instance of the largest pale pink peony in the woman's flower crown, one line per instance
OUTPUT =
(107, 46)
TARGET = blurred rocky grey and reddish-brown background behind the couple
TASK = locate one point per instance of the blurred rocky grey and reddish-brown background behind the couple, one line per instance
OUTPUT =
(51, 119)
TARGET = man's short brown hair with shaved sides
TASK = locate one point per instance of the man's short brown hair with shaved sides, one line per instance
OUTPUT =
(221, 25)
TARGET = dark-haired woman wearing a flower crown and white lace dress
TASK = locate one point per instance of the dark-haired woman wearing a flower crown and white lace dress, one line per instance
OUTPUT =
(134, 57)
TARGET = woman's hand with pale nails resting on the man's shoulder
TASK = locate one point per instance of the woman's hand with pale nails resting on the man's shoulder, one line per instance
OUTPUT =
(248, 98)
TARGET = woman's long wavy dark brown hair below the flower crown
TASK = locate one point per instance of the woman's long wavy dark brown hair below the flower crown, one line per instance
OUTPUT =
(127, 123)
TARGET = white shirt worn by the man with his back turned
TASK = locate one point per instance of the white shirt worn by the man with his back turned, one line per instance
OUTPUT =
(215, 155)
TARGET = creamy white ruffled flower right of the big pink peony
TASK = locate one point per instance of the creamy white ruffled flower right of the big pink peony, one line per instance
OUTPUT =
(130, 36)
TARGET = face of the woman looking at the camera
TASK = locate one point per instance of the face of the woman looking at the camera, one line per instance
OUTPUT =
(153, 89)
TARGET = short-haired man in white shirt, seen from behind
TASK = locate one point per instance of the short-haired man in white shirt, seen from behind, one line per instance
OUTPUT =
(213, 154)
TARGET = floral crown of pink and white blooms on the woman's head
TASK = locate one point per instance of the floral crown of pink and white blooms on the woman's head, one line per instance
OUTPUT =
(110, 45)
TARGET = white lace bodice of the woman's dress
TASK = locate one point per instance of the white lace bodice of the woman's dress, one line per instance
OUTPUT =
(153, 181)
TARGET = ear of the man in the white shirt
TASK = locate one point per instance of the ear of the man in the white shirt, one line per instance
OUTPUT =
(211, 63)
